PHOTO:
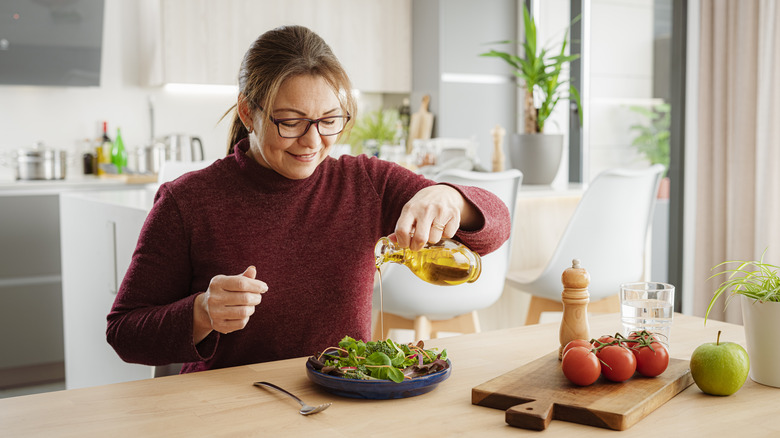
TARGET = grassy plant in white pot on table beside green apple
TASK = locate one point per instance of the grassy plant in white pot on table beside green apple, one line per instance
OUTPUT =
(758, 285)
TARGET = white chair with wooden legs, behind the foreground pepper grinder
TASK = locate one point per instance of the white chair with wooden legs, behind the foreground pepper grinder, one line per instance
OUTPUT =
(608, 233)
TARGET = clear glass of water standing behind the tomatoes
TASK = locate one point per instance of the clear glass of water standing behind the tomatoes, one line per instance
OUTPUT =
(647, 306)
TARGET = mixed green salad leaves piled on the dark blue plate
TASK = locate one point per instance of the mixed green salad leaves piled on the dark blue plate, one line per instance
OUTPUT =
(383, 360)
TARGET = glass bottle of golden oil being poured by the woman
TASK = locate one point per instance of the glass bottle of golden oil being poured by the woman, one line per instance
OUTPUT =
(445, 263)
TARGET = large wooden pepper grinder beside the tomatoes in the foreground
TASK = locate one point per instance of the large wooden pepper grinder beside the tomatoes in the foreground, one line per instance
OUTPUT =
(575, 298)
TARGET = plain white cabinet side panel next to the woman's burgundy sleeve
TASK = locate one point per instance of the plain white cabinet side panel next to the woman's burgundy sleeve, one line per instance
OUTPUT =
(99, 233)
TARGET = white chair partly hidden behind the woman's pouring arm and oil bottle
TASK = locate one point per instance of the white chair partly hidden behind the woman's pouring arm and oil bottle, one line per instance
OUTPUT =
(410, 303)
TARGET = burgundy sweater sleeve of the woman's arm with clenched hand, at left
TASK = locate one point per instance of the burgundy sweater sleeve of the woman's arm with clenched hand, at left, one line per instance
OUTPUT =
(152, 316)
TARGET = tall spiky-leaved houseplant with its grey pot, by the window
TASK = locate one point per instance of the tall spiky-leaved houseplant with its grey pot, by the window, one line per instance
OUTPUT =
(538, 70)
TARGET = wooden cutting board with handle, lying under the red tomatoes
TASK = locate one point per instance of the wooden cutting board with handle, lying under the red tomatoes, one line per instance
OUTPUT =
(538, 392)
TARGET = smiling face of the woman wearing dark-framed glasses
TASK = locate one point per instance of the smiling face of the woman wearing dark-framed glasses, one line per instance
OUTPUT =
(296, 158)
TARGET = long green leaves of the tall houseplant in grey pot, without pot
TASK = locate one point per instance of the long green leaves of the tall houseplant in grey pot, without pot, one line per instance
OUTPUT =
(539, 73)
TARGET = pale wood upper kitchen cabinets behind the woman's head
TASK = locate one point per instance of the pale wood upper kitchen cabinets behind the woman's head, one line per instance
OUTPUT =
(204, 41)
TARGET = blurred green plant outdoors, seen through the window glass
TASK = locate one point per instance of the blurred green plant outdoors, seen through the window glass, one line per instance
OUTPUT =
(652, 140)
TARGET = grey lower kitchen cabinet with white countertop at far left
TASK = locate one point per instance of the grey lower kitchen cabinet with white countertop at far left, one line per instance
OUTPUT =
(31, 280)
